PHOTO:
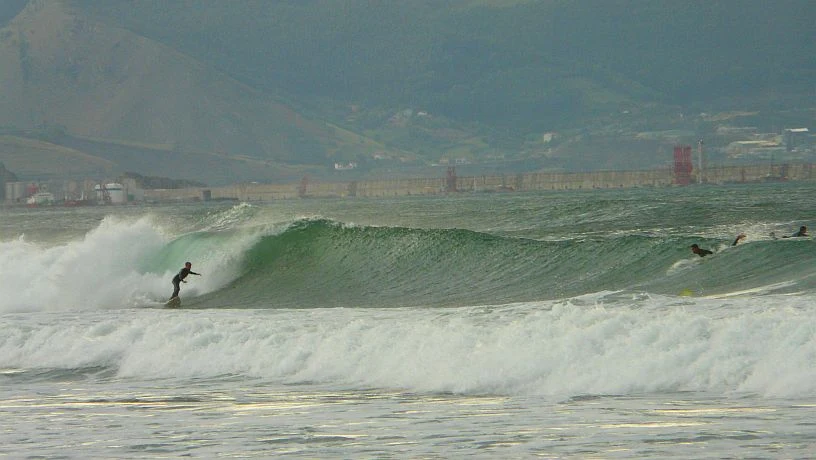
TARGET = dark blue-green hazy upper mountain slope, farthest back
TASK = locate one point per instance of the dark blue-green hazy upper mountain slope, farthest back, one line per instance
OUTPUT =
(499, 62)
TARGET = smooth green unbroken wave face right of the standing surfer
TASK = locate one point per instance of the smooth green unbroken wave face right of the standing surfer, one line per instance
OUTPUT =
(317, 263)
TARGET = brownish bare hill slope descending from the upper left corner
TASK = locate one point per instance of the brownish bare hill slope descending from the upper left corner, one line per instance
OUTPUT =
(61, 69)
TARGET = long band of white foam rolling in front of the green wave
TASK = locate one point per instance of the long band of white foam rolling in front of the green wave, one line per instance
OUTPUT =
(647, 344)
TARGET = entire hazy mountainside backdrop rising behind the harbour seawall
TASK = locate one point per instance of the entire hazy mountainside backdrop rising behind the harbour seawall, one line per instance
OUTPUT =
(237, 91)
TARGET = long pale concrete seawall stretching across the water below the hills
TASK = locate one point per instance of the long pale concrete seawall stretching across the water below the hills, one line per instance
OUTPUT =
(518, 182)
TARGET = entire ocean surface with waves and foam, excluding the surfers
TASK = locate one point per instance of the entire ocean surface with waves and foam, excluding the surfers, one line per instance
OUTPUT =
(571, 324)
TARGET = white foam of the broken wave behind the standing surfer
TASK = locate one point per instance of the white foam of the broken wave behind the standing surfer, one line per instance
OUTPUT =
(100, 271)
